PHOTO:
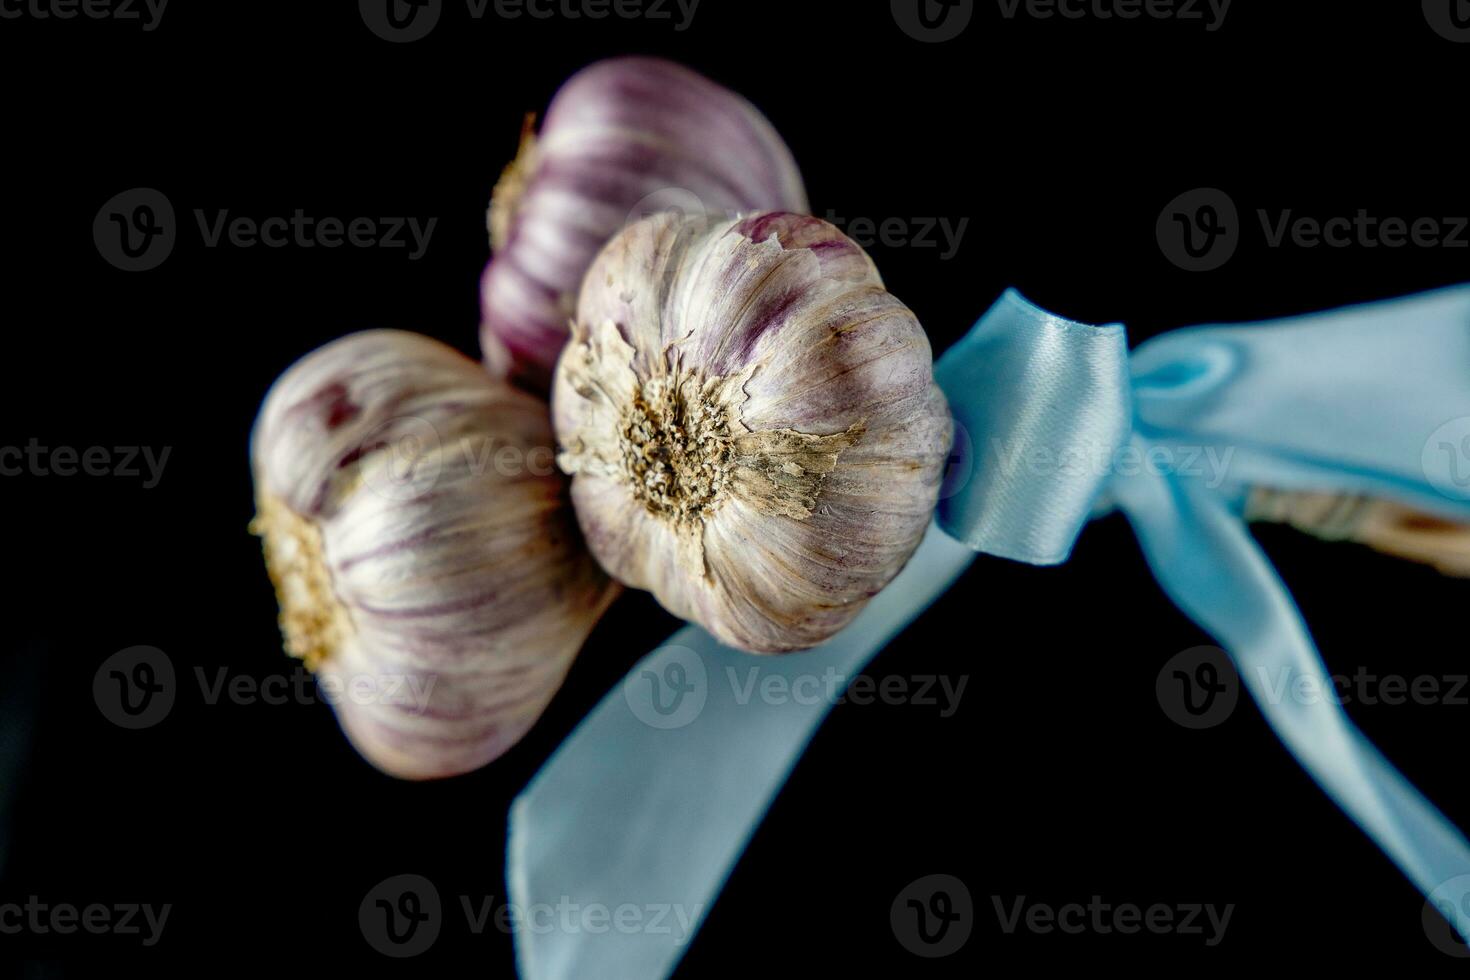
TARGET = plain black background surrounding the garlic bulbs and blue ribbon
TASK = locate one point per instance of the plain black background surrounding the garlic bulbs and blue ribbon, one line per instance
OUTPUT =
(1058, 779)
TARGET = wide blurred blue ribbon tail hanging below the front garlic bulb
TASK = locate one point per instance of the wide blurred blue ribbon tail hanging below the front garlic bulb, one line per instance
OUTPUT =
(643, 813)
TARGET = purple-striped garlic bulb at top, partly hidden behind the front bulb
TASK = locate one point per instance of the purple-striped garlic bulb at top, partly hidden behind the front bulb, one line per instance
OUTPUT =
(623, 139)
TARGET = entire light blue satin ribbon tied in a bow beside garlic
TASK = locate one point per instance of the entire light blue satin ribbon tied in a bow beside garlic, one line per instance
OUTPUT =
(646, 809)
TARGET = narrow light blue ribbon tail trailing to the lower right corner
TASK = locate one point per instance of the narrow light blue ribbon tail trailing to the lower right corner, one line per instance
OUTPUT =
(1209, 565)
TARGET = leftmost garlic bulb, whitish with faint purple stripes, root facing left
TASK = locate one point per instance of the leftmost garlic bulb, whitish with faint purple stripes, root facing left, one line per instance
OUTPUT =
(423, 549)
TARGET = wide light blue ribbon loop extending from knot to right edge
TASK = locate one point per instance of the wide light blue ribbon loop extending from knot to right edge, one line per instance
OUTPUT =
(1347, 400)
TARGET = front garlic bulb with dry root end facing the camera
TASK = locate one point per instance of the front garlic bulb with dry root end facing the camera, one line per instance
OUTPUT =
(752, 424)
